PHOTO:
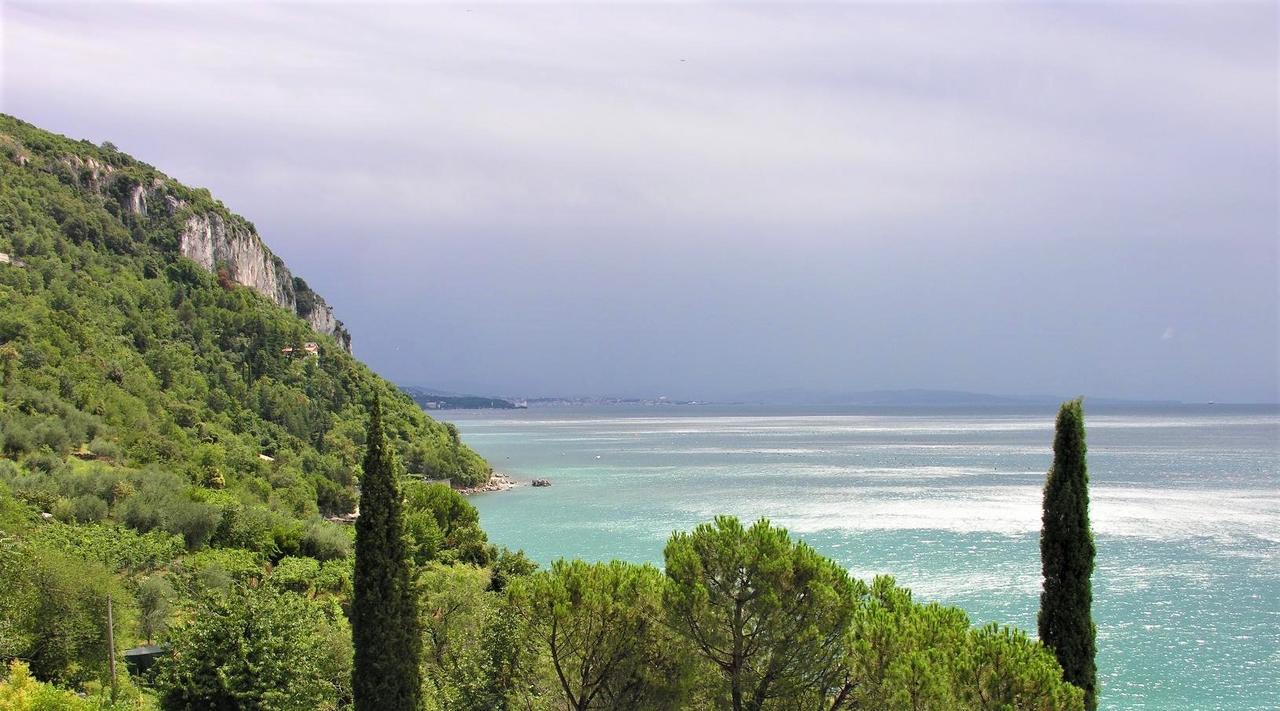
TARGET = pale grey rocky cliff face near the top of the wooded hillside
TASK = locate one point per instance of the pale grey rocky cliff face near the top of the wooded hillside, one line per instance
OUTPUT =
(220, 243)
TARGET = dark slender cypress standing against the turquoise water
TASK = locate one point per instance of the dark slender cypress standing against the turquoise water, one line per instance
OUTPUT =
(1067, 558)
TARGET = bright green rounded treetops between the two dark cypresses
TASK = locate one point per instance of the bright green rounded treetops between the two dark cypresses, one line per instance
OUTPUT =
(746, 608)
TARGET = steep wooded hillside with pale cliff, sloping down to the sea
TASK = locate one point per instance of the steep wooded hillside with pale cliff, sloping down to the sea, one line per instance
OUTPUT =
(144, 325)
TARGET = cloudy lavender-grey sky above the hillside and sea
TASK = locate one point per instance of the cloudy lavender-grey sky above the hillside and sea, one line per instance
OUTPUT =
(710, 200)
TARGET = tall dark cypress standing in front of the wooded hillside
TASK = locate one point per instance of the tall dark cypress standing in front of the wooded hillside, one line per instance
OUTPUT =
(385, 612)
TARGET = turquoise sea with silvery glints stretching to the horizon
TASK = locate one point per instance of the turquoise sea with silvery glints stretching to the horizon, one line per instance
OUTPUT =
(1186, 507)
